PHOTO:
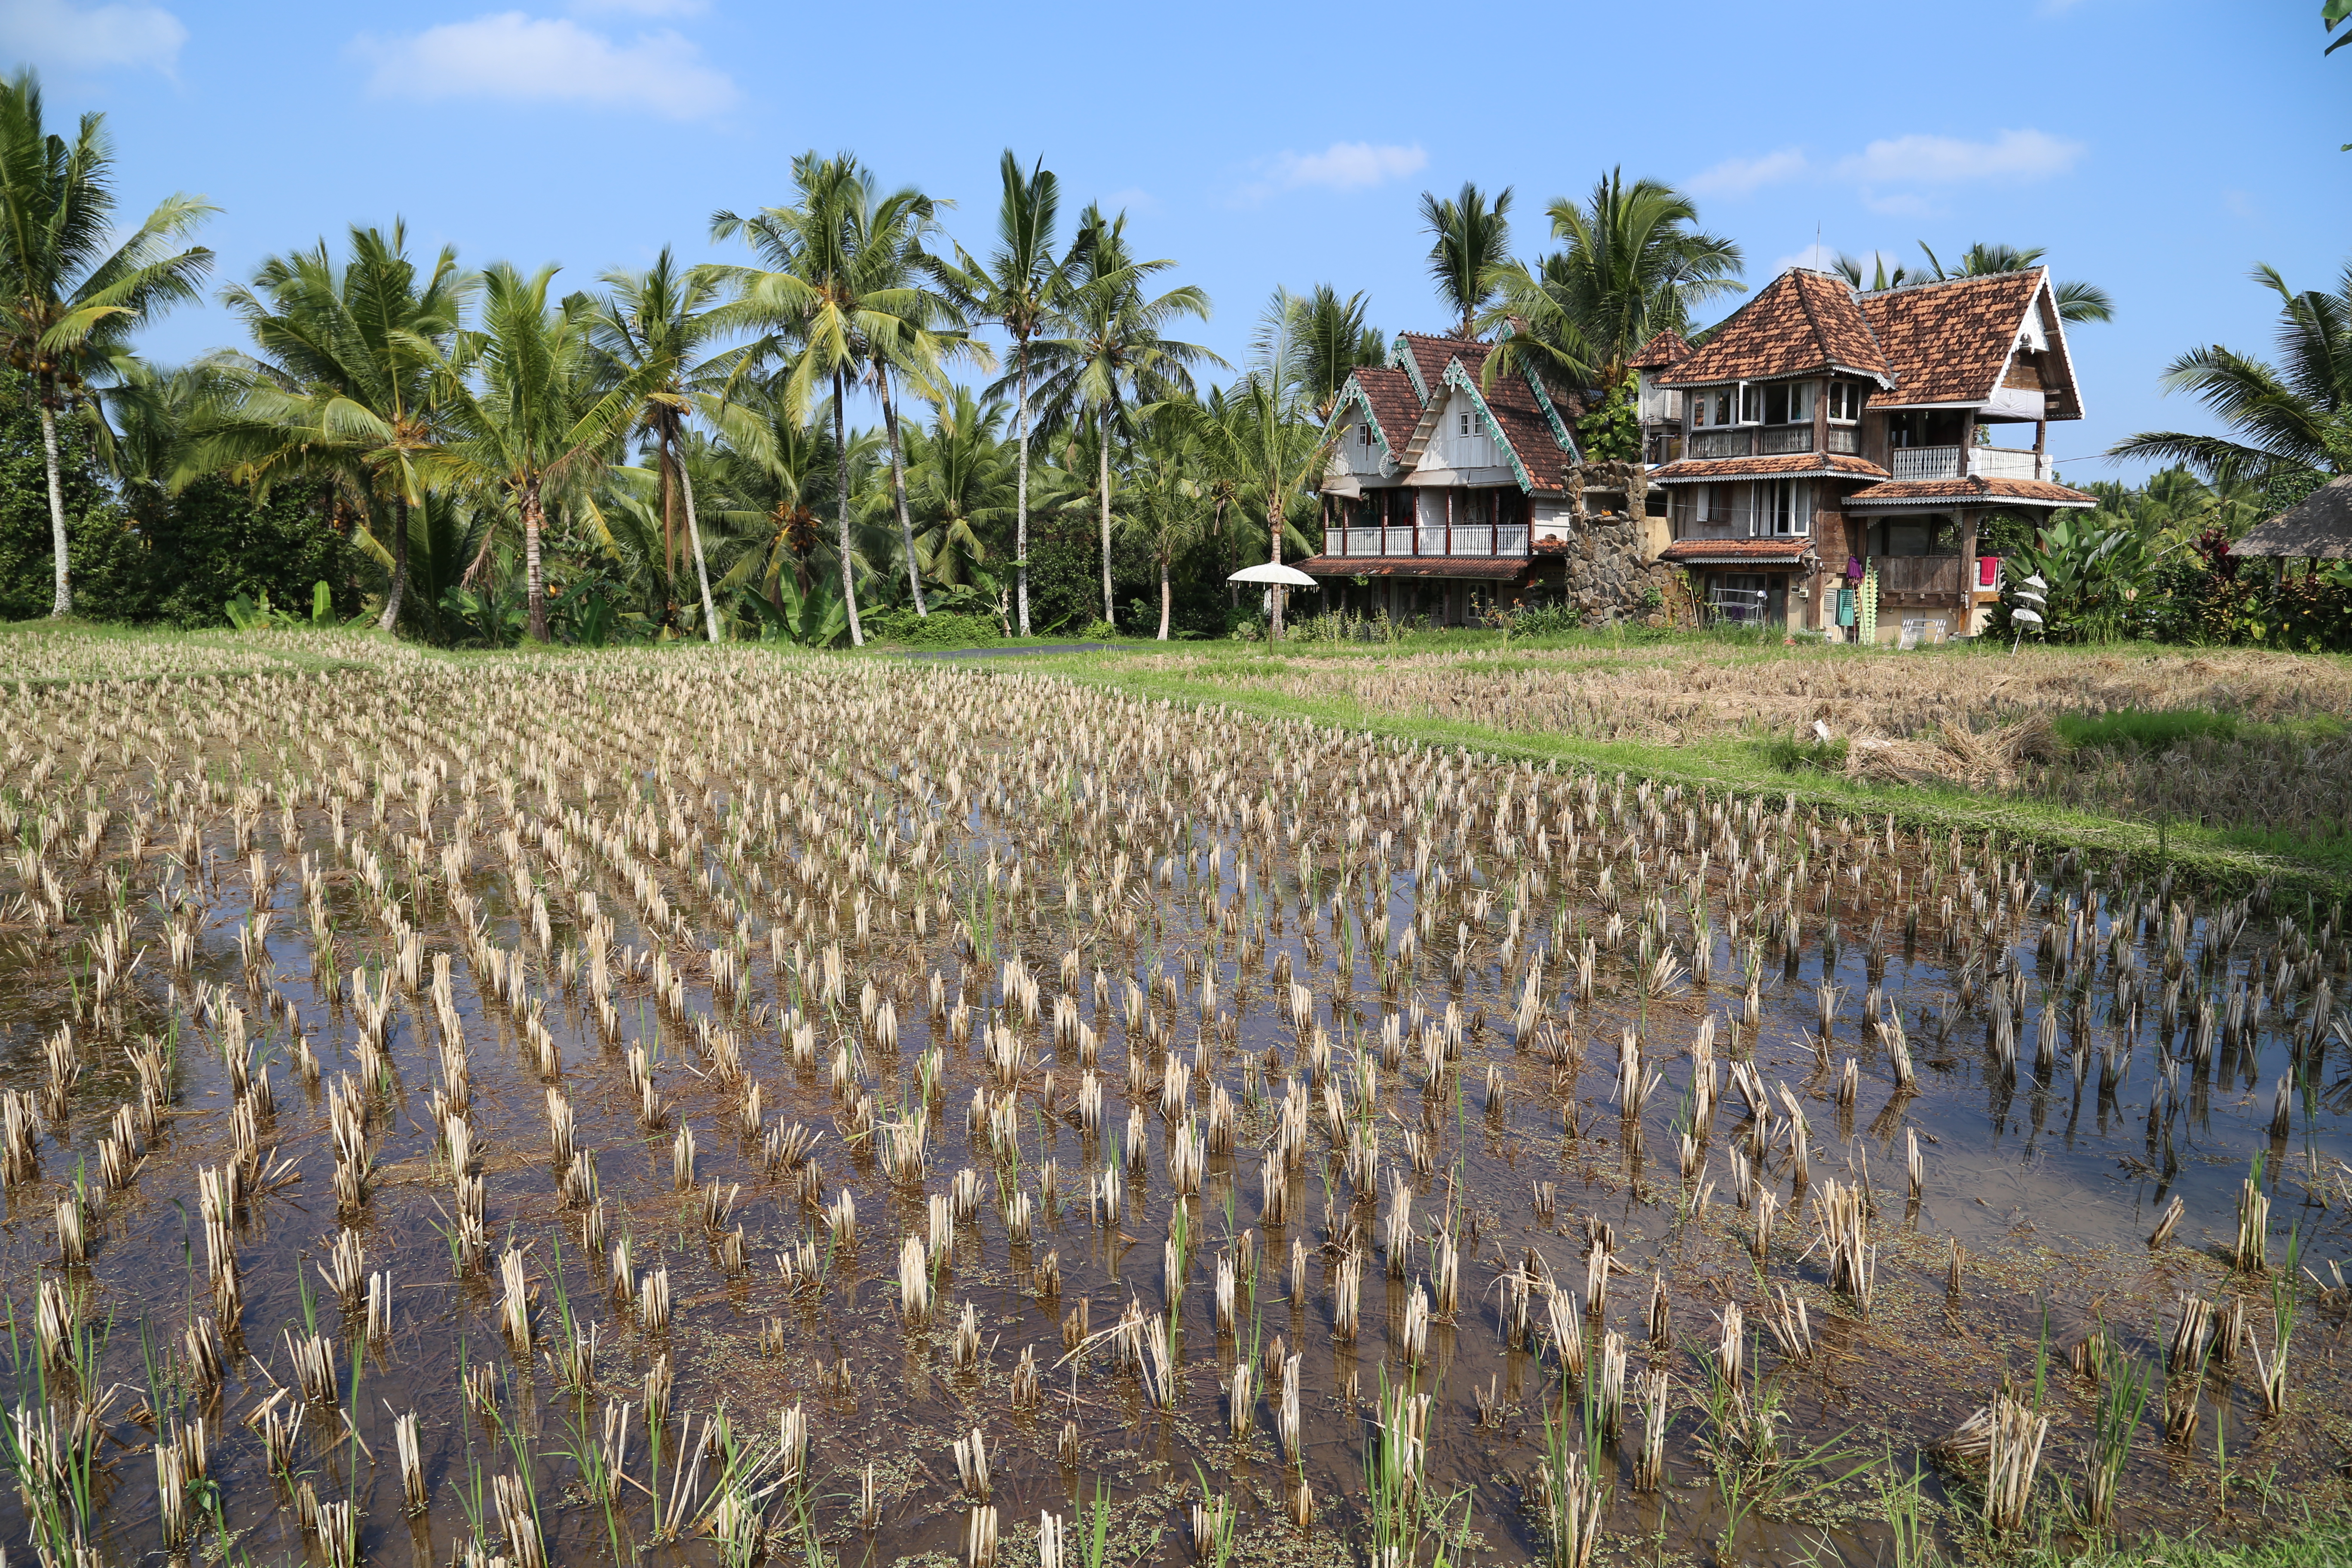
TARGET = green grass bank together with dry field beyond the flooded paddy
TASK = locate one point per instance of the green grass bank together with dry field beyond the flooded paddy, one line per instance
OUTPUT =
(2224, 765)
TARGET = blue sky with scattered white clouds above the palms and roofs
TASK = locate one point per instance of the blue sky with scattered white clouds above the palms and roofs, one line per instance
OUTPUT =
(2156, 149)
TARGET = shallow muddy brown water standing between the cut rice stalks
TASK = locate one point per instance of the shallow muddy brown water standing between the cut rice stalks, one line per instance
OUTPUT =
(2050, 1181)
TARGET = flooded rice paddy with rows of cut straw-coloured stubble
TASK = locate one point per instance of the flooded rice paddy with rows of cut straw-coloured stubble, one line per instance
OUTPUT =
(719, 1106)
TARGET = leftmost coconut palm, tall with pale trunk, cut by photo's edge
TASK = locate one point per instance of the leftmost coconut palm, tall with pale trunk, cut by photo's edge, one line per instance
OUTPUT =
(74, 288)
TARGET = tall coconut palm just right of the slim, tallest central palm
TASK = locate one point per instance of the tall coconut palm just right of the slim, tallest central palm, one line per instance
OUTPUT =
(1111, 354)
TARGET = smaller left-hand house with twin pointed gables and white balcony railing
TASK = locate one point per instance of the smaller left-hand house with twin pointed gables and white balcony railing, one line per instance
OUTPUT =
(1450, 492)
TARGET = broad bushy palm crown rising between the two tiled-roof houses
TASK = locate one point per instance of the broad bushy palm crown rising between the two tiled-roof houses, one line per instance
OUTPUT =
(1631, 264)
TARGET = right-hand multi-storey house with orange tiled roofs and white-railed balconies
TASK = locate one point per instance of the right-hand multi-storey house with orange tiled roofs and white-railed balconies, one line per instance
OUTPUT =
(1831, 441)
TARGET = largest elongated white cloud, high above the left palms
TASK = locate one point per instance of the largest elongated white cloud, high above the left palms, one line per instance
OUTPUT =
(540, 60)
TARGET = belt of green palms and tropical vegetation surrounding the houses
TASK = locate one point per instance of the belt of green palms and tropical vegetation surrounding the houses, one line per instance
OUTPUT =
(853, 427)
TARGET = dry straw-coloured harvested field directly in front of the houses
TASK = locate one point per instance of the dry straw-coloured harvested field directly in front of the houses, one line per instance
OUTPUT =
(2254, 739)
